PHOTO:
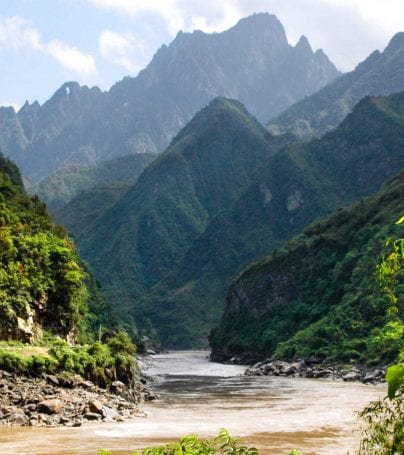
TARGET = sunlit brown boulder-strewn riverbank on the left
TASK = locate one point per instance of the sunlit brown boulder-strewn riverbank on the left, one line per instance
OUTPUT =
(60, 400)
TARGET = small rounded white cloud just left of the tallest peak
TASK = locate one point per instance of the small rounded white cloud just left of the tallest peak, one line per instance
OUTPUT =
(119, 48)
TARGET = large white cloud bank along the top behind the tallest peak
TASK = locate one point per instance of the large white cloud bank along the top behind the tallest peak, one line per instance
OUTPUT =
(348, 30)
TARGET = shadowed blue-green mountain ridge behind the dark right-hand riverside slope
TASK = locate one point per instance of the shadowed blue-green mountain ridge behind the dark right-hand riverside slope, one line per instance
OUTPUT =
(294, 187)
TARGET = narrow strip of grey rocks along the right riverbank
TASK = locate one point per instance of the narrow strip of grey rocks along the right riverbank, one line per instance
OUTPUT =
(314, 368)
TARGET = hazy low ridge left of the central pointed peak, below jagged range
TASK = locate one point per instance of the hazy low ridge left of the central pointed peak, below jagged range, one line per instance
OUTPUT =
(69, 181)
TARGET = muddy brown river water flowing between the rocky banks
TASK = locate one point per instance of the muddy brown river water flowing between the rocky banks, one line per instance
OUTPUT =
(197, 396)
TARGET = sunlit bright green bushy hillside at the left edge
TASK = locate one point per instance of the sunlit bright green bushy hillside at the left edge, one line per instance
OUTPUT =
(43, 284)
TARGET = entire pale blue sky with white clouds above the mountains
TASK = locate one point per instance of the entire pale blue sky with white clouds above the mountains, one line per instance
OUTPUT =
(44, 43)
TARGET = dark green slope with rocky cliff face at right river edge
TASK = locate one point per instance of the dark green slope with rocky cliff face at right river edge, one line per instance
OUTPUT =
(318, 295)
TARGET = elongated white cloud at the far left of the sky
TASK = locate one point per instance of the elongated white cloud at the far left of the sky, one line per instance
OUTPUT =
(17, 33)
